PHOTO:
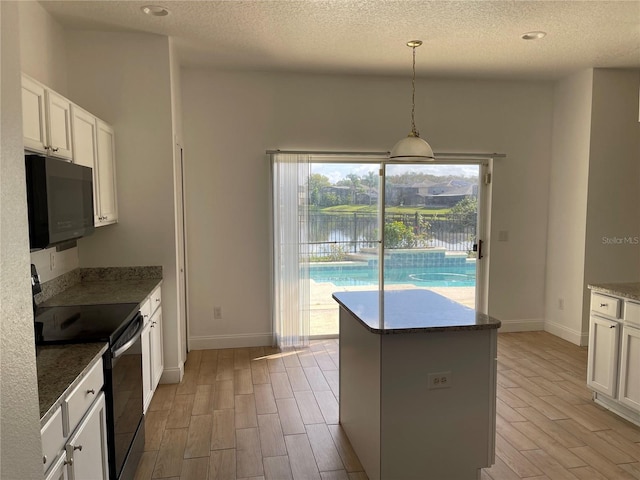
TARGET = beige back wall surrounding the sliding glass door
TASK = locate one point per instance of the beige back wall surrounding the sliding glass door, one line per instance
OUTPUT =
(230, 119)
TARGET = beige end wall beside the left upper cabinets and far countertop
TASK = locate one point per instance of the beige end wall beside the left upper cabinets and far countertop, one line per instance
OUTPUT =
(124, 78)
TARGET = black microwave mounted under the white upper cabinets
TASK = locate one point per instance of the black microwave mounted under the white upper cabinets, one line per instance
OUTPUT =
(59, 201)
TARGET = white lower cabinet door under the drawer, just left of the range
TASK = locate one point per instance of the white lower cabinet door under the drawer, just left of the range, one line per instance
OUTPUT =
(87, 448)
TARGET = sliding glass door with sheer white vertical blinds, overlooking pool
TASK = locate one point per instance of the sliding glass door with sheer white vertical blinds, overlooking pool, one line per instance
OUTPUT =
(329, 230)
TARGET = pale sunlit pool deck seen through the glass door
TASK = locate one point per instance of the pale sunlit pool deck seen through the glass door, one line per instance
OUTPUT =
(324, 309)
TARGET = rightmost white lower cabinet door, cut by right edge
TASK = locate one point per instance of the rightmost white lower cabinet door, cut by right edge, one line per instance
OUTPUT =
(629, 391)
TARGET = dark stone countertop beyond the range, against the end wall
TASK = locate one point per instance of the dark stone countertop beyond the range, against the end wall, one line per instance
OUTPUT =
(104, 291)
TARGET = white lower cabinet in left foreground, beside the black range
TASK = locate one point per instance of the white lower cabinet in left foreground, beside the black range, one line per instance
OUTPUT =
(74, 439)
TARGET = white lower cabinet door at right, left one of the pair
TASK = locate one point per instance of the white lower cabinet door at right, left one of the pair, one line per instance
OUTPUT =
(602, 363)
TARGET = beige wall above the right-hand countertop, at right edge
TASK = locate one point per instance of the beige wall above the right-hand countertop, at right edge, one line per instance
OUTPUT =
(614, 179)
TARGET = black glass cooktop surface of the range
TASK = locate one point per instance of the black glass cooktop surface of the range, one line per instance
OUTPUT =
(82, 323)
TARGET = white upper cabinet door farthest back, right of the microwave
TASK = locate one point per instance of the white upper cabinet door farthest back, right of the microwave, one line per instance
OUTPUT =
(106, 175)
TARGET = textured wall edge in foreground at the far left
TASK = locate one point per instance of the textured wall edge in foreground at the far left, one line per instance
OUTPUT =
(20, 449)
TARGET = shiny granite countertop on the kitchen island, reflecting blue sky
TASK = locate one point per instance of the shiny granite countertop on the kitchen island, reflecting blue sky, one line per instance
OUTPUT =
(412, 311)
